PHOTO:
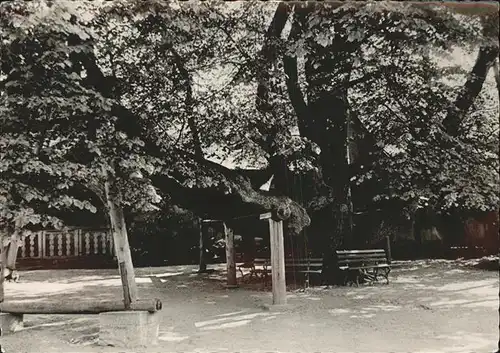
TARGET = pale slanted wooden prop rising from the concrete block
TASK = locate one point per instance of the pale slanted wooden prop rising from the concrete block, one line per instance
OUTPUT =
(122, 247)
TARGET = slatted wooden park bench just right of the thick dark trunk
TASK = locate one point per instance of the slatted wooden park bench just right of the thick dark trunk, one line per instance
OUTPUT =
(366, 264)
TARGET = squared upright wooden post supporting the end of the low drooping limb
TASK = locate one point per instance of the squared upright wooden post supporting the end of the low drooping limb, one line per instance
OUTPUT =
(277, 259)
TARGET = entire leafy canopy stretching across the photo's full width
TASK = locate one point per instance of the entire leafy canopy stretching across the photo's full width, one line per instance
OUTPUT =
(134, 88)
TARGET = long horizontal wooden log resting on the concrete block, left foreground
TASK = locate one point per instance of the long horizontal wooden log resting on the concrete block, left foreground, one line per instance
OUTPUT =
(64, 306)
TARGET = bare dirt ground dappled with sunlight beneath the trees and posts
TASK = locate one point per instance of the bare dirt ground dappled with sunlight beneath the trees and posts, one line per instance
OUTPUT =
(429, 306)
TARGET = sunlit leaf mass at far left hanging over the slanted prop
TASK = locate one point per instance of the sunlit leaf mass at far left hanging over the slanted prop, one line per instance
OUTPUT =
(60, 132)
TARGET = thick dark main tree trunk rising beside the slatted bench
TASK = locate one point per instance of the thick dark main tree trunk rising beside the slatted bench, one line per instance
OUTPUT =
(327, 73)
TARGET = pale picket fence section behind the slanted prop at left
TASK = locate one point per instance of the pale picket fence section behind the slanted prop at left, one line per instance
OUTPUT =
(73, 243)
